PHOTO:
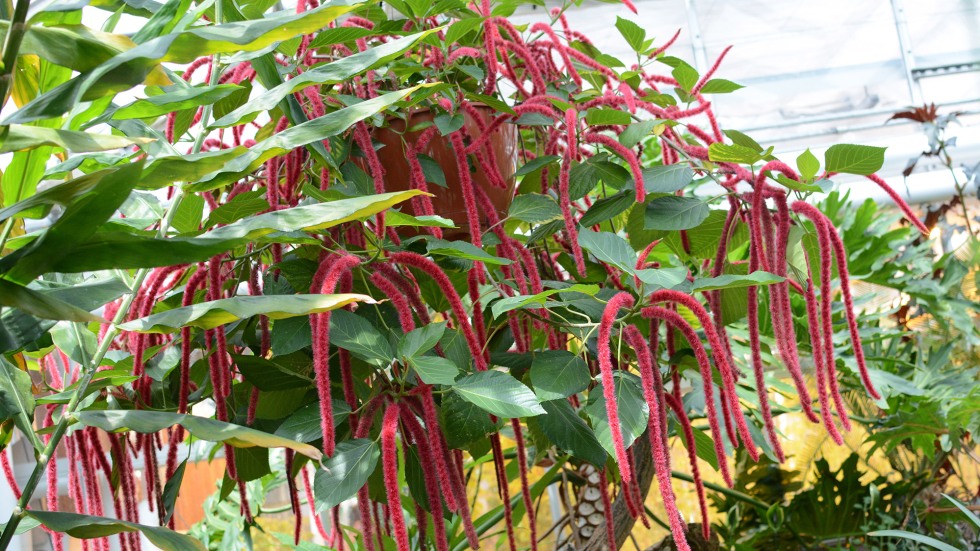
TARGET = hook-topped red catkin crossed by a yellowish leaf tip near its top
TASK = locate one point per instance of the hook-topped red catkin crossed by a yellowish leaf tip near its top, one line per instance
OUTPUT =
(321, 349)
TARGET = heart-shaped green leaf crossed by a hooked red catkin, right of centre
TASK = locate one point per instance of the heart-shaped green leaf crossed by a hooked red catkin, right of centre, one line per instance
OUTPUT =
(633, 411)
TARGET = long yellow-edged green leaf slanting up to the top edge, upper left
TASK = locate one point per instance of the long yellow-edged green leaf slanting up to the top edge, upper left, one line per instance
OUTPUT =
(133, 66)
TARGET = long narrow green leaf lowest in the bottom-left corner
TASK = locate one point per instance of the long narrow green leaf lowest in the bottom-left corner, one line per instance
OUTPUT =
(87, 527)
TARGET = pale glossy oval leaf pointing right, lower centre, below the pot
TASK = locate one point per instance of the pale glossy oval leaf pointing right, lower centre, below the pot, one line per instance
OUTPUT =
(499, 394)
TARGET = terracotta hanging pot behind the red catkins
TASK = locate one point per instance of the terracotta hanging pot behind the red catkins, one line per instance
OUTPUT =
(448, 201)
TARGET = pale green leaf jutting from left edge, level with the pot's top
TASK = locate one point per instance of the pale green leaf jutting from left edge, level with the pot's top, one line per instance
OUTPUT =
(19, 137)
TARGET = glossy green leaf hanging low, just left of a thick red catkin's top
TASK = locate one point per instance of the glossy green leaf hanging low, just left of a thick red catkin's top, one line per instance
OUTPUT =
(345, 472)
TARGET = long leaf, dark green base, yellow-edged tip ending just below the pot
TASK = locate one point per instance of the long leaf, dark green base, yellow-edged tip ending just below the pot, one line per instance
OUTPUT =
(115, 249)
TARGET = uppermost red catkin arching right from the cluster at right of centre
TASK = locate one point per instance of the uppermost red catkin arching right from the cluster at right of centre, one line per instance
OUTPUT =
(720, 354)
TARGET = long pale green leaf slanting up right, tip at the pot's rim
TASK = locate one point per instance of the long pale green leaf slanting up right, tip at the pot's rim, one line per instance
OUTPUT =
(315, 130)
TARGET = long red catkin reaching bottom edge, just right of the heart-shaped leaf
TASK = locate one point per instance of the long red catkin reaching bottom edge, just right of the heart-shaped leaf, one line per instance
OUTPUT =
(657, 429)
